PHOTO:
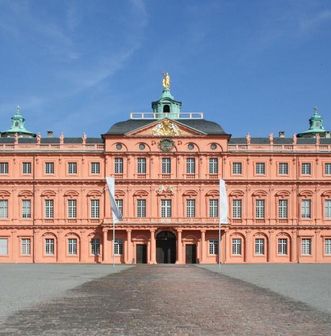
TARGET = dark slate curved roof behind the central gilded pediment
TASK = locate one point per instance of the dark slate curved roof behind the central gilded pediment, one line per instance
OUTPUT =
(205, 126)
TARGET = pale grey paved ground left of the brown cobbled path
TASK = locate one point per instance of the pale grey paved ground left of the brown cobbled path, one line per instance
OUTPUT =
(24, 285)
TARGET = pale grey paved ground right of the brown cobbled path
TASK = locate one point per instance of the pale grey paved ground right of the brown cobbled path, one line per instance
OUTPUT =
(309, 283)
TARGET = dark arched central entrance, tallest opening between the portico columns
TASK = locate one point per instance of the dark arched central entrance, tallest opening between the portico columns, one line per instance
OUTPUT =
(165, 248)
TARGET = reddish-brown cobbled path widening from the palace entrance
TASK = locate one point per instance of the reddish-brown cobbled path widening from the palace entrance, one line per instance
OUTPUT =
(169, 300)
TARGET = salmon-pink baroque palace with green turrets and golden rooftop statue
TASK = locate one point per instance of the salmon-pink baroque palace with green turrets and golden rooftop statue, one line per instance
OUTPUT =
(55, 206)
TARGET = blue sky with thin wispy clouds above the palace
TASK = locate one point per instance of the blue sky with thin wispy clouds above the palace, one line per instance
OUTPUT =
(253, 66)
